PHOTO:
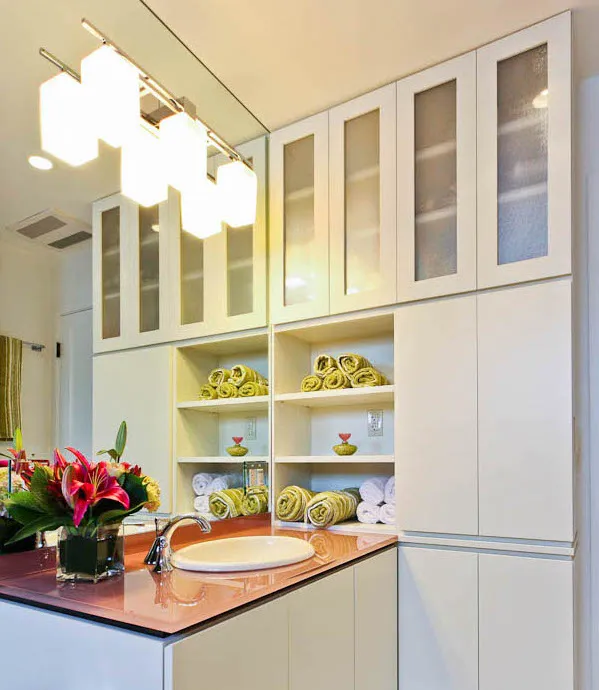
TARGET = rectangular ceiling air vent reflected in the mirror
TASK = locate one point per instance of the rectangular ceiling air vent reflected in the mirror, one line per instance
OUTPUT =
(53, 229)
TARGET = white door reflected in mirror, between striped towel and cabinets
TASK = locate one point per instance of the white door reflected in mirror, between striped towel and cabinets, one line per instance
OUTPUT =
(75, 381)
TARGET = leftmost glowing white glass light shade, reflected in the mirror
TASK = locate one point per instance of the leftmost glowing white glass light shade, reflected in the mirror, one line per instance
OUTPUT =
(64, 121)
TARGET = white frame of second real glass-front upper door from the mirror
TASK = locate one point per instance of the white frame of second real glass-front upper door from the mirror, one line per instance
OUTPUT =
(382, 100)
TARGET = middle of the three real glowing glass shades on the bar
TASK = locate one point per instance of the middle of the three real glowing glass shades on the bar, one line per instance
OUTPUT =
(184, 144)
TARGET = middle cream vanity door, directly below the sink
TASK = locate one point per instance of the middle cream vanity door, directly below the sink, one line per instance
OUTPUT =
(321, 634)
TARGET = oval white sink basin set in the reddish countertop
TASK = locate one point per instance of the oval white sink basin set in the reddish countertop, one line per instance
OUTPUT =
(242, 553)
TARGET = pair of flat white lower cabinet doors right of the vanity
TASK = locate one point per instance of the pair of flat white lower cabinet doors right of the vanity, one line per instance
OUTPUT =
(470, 621)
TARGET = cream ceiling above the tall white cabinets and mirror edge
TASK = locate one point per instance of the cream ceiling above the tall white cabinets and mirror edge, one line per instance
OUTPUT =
(286, 59)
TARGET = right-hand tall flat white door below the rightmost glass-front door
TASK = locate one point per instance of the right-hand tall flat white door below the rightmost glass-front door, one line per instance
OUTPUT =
(525, 412)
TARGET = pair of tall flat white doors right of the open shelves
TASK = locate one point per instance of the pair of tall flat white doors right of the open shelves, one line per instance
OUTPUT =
(484, 414)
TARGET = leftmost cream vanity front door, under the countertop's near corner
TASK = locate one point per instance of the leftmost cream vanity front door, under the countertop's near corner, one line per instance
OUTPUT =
(248, 651)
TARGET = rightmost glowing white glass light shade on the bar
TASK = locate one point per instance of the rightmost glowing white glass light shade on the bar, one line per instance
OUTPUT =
(237, 190)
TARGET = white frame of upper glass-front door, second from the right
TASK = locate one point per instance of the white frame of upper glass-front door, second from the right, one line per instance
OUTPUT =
(463, 71)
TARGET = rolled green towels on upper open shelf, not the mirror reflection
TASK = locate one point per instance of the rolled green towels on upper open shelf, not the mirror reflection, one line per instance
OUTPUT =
(347, 371)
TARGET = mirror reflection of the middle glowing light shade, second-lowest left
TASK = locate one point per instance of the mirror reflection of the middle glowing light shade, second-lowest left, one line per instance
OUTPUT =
(142, 172)
